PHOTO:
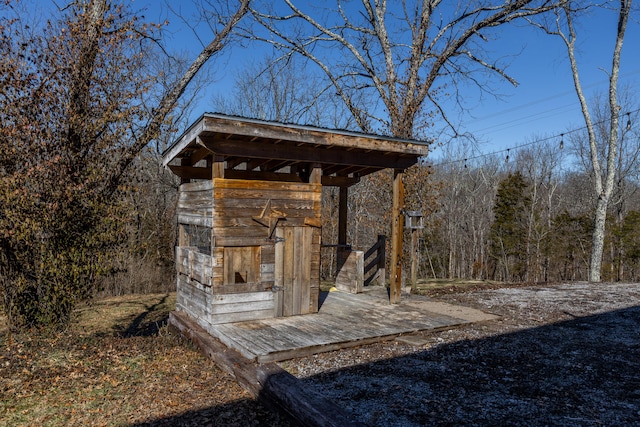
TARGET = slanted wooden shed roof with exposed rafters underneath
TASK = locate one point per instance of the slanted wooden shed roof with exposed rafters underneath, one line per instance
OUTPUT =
(262, 148)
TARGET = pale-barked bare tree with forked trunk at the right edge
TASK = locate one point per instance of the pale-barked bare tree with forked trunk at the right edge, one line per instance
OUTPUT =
(605, 167)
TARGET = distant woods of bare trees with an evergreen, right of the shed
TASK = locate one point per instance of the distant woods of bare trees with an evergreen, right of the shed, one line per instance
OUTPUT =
(530, 218)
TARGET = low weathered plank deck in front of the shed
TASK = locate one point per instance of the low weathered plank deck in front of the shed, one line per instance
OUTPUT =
(344, 320)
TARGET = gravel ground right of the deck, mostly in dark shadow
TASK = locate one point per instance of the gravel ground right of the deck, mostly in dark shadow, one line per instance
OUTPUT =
(562, 355)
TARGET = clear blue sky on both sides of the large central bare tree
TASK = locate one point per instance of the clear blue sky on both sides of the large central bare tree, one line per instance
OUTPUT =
(543, 104)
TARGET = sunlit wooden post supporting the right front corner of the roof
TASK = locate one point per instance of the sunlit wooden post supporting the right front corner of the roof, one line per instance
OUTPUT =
(396, 237)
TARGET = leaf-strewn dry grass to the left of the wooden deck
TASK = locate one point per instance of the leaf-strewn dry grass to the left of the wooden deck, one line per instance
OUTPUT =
(118, 364)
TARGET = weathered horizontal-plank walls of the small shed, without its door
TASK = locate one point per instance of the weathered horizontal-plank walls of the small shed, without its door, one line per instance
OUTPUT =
(234, 282)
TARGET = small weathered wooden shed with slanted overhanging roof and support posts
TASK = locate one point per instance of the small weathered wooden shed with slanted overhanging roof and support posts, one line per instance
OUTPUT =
(249, 212)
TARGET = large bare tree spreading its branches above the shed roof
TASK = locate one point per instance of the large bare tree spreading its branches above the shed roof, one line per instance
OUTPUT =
(402, 54)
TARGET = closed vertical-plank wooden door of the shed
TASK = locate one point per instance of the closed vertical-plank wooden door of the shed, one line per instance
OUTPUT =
(293, 270)
